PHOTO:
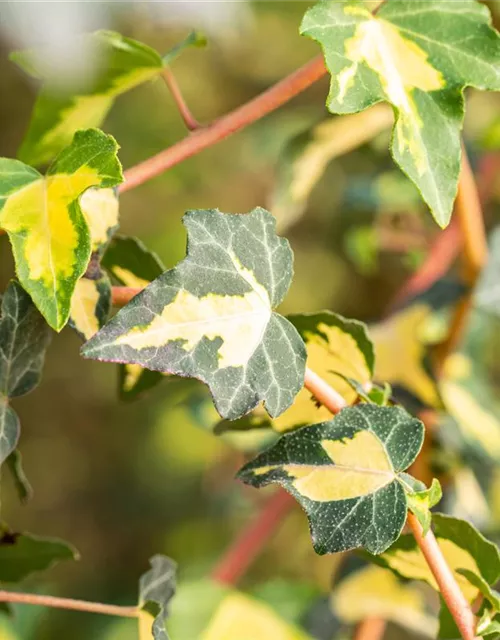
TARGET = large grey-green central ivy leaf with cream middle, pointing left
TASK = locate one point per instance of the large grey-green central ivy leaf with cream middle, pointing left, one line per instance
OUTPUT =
(212, 317)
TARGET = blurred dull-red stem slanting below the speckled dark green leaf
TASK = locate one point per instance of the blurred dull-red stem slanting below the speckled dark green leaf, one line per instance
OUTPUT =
(248, 545)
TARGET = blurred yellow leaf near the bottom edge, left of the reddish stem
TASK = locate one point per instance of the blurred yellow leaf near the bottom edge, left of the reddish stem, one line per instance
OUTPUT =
(373, 592)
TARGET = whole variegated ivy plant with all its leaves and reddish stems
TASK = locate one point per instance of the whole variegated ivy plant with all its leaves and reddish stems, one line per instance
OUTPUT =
(354, 418)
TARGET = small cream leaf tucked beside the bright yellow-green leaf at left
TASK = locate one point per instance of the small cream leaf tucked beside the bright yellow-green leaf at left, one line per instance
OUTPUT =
(101, 210)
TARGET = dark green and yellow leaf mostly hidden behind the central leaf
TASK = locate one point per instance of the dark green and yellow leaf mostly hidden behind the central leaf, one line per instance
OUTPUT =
(132, 264)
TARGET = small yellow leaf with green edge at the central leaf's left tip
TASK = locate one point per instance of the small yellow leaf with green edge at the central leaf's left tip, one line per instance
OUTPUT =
(90, 305)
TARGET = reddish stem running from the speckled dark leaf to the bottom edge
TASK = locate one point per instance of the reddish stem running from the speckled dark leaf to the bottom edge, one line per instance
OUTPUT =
(455, 600)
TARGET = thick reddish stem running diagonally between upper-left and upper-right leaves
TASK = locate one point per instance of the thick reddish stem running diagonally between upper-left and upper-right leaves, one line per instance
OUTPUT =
(260, 106)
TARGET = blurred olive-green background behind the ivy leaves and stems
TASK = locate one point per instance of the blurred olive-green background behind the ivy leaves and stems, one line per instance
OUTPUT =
(122, 481)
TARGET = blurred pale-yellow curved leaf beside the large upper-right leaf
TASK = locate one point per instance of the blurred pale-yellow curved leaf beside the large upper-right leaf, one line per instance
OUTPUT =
(306, 156)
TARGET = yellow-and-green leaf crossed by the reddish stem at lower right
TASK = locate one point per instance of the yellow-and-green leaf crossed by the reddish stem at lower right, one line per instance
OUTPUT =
(463, 547)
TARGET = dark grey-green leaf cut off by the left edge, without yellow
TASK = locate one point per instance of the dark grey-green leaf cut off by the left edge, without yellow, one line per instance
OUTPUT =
(24, 338)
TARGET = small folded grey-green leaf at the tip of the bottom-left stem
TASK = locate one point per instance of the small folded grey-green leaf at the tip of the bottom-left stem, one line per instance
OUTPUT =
(156, 589)
